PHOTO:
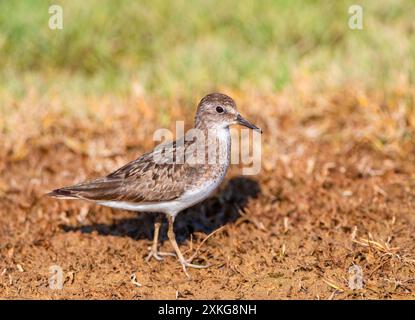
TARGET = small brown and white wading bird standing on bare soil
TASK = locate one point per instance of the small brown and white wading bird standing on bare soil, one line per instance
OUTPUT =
(172, 177)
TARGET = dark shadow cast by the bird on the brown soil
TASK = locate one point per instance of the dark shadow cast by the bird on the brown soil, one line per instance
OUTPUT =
(205, 217)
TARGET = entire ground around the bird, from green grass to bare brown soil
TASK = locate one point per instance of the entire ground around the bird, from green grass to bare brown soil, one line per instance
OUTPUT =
(336, 188)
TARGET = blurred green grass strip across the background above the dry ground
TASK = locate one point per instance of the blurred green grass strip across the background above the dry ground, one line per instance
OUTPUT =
(182, 48)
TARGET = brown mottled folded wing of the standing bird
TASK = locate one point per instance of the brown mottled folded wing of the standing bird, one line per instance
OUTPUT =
(153, 177)
